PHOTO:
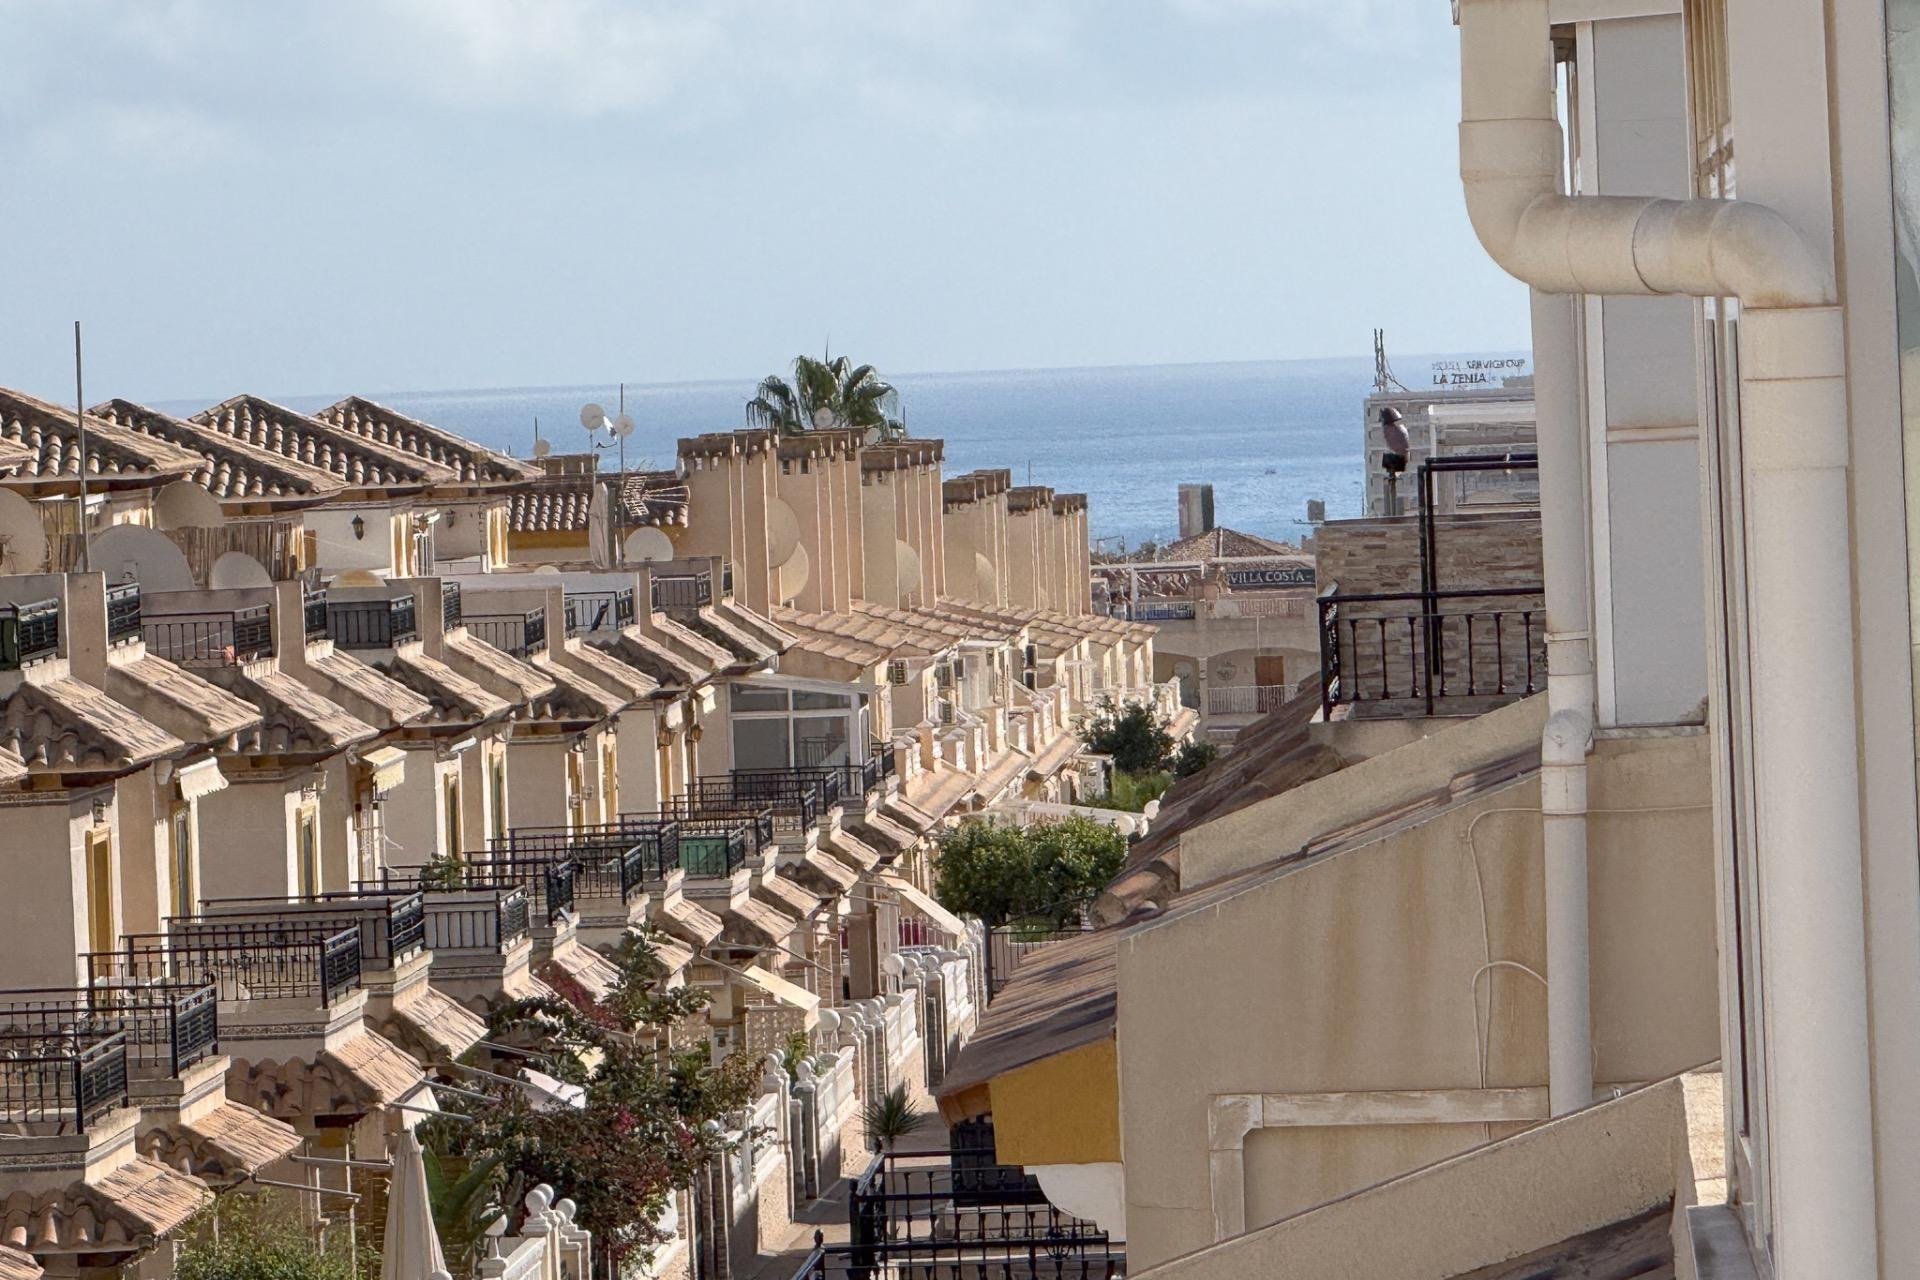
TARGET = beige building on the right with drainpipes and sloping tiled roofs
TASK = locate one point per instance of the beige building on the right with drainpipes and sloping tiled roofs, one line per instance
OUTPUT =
(1620, 980)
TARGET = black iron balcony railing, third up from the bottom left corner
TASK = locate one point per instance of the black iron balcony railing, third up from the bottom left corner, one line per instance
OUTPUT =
(245, 960)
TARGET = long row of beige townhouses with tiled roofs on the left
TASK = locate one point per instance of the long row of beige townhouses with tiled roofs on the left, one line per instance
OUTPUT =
(324, 736)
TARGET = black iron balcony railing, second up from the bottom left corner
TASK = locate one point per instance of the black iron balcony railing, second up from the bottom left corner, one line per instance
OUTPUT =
(168, 1026)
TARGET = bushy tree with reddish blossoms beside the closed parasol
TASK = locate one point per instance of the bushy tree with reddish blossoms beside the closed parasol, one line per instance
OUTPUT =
(650, 1122)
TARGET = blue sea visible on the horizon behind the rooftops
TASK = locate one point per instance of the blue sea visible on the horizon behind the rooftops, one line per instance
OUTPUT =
(1266, 435)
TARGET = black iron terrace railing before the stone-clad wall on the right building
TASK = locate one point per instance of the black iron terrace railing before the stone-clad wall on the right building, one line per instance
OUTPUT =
(1424, 650)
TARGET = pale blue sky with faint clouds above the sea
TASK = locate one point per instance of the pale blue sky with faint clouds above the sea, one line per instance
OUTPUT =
(416, 195)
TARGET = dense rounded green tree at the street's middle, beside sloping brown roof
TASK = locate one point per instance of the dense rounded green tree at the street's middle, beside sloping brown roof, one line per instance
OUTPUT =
(1042, 874)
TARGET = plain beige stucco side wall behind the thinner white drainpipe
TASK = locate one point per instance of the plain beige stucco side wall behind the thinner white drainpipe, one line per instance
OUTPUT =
(1368, 970)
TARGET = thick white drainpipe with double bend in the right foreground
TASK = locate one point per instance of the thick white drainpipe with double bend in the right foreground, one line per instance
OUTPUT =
(1794, 435)
